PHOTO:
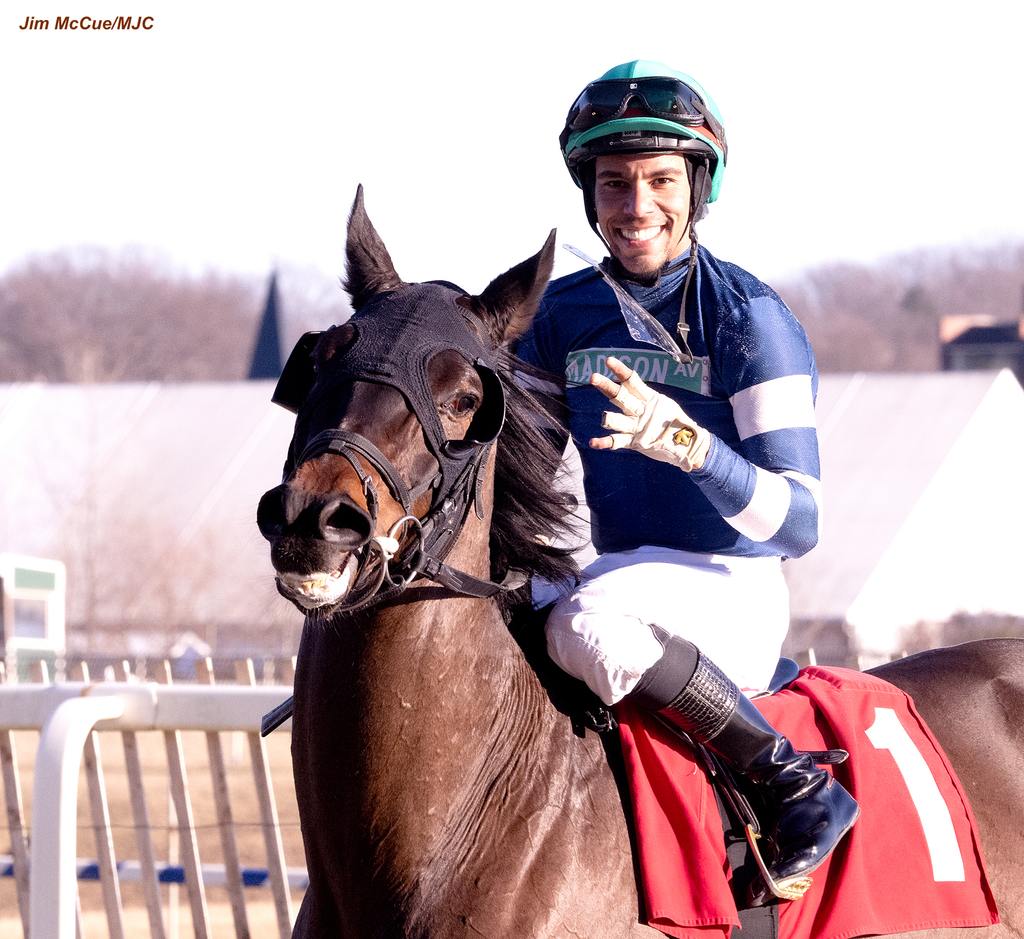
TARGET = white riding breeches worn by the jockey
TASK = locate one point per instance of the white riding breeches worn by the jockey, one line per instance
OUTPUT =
(735, 610)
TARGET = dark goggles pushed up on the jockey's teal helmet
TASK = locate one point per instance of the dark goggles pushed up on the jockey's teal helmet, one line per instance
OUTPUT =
(660, 98)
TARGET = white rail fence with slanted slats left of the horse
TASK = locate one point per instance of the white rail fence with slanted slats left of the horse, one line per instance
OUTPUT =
(75, 721)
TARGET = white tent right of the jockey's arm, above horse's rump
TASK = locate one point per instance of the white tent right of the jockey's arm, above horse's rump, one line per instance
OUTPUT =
(924, 502)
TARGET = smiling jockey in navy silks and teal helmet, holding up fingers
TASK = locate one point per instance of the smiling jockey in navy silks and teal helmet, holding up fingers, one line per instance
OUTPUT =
(710, 476)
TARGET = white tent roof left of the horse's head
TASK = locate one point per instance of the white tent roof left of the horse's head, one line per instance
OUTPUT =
(150, 493)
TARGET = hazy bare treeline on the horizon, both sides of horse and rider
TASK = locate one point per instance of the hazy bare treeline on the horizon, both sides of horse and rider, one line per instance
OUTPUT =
(92, 316)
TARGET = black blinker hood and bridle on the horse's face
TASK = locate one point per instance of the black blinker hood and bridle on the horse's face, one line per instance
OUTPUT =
(415, 546)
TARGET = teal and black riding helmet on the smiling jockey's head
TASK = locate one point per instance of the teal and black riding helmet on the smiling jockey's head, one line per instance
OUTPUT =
(645, 107)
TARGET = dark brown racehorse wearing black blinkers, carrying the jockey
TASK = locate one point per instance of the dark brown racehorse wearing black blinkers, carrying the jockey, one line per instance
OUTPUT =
(441, 793)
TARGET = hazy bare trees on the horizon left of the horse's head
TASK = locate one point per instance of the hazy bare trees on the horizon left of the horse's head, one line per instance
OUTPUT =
(91, 316)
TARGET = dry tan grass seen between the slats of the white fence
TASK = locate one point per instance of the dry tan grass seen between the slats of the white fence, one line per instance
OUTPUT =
(248, 830)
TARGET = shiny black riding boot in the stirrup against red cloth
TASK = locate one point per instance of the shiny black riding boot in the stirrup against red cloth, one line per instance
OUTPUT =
(809, 813)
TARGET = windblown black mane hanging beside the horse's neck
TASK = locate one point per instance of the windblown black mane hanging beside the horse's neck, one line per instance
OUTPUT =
(534, 517)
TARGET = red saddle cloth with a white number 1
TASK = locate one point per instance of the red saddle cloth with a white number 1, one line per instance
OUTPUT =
(912, 862)
